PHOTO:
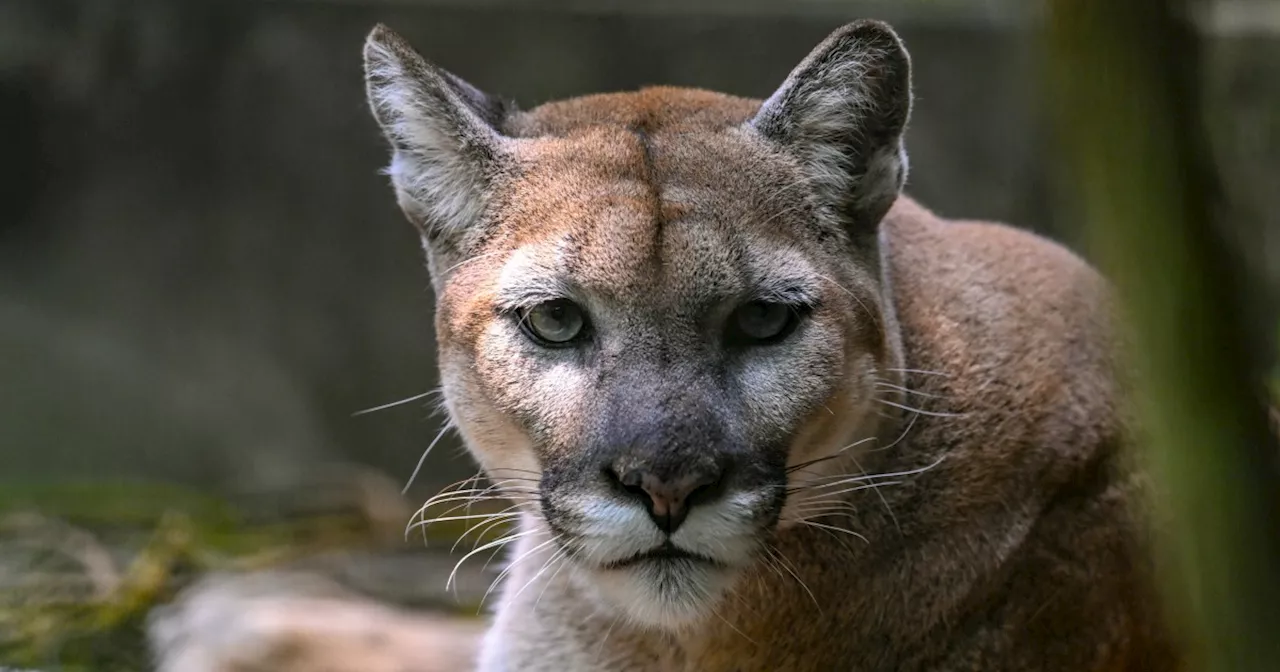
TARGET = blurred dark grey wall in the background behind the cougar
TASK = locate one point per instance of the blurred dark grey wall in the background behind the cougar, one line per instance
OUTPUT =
(203, 276)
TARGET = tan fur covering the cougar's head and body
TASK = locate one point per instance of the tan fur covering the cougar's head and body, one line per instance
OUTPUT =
(972, 359)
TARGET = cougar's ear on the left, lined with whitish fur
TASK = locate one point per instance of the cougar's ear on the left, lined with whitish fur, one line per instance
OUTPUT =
(446, 145)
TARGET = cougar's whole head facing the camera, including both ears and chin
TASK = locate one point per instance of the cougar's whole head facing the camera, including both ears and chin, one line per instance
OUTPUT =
(655, 321)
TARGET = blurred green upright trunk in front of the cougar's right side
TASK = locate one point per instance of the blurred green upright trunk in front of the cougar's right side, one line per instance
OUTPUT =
(1140, 161)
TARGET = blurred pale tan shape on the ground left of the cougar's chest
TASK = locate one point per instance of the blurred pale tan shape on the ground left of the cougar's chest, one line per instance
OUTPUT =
(295, 621)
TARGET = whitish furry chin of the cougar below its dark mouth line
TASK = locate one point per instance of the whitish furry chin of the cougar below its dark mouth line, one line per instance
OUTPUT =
(662, 593)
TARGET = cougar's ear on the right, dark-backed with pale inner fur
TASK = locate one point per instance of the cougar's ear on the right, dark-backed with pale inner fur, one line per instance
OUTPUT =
(843, 113)
